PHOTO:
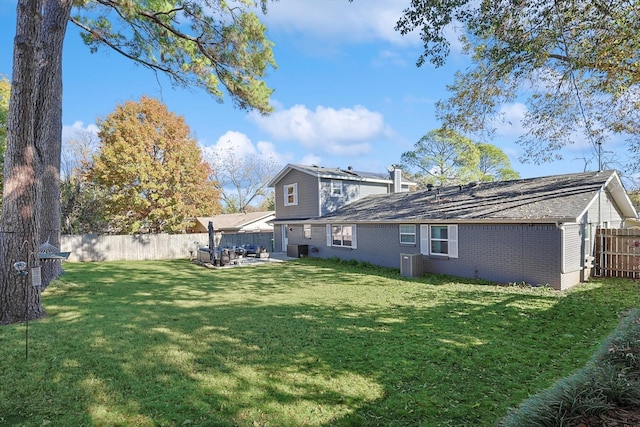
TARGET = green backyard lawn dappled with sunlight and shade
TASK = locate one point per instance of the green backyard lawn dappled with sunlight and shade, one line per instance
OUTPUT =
(302, 343)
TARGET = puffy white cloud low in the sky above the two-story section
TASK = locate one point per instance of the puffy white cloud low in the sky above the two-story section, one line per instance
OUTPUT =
(346, 131)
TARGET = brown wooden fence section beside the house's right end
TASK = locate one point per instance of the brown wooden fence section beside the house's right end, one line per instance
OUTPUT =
(618, 253)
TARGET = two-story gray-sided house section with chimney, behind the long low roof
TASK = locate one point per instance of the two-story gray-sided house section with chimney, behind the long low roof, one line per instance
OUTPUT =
(303, 192)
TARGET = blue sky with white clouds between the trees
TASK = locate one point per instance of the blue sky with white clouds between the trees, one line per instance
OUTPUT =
(347, 91)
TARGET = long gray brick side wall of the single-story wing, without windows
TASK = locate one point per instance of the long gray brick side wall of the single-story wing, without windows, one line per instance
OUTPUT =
(503, 253)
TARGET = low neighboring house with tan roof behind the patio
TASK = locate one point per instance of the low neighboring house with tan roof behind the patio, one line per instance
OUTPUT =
(239, 229)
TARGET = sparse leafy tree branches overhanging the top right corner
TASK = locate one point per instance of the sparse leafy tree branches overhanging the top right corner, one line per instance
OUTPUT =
(574, 64)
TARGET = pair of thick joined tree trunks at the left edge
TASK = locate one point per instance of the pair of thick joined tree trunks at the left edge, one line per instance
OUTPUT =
(31, 199)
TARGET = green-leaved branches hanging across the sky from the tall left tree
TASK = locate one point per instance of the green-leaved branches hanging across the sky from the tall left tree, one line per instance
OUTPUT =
(208, 44)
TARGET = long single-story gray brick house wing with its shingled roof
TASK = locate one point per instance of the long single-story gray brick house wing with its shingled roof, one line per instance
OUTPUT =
(538, 231)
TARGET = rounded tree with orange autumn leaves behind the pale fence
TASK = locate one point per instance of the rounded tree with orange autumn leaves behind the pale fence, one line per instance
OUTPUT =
(151, 170)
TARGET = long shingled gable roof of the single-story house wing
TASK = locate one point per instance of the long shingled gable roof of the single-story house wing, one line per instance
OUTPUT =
(559, 198)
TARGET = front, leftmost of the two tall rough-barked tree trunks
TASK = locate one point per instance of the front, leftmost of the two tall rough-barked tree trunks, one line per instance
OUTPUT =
(18, 230)
